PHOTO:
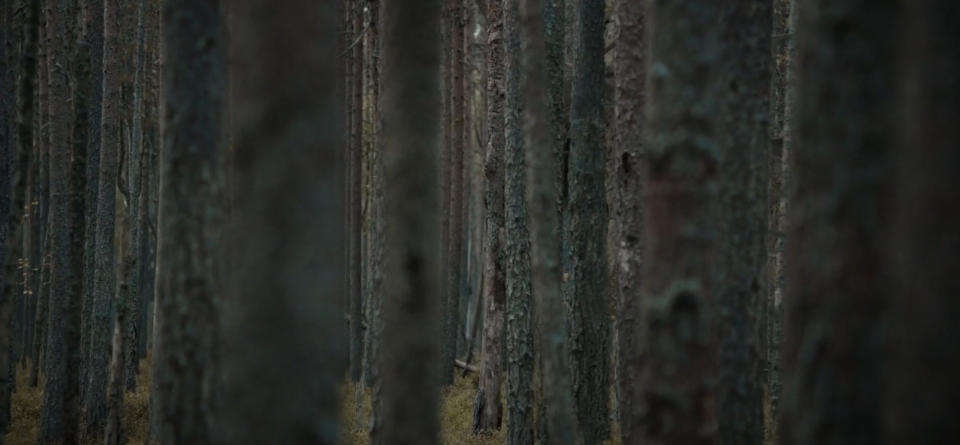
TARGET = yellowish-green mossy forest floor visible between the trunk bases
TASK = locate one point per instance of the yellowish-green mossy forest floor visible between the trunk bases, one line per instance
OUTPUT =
(456, 415)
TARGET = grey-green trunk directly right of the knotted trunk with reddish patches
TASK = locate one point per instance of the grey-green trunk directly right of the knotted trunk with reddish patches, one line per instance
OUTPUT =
(746, 71)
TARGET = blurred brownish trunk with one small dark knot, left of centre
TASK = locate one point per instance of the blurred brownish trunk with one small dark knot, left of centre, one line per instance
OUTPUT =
(408, 392)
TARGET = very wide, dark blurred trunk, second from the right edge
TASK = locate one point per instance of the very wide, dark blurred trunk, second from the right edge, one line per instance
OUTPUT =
(836, 281)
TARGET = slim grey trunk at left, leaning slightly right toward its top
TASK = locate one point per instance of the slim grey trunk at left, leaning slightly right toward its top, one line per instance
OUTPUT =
(105, 275)
